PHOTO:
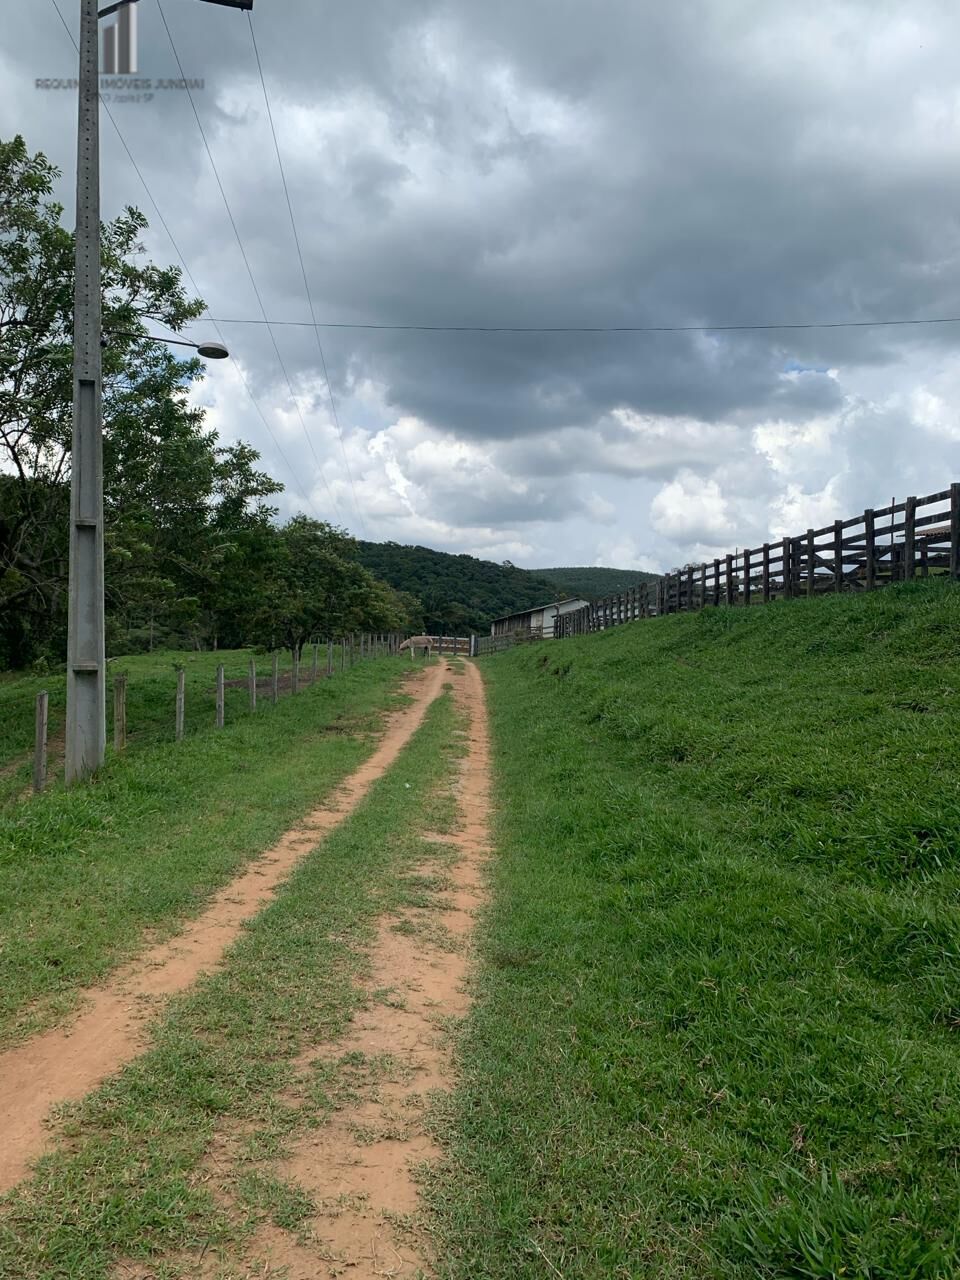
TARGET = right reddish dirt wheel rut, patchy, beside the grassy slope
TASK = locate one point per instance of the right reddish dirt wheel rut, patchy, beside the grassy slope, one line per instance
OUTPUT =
(360, 1168)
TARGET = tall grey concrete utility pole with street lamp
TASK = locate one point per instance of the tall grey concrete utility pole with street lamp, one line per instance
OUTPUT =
(86, 647)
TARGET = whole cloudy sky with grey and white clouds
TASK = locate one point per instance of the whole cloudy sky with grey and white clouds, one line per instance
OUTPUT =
(541, 163)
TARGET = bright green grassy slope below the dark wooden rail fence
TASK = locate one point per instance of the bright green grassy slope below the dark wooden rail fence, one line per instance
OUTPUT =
(717, 1017)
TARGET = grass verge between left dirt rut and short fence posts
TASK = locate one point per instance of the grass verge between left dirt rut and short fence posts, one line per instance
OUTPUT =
(86, 872)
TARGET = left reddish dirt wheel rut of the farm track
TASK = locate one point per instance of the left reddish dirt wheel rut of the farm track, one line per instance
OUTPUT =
(65, 1064)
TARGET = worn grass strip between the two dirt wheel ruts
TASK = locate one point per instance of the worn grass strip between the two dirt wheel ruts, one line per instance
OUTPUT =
(129, 1194)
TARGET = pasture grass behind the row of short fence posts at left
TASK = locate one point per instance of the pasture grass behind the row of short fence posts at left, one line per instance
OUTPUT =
(152, 696)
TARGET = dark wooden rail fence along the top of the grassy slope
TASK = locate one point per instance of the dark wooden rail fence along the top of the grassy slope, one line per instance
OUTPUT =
(917, 538)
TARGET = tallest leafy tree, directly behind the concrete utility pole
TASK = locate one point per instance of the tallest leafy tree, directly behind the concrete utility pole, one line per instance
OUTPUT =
(176, 502)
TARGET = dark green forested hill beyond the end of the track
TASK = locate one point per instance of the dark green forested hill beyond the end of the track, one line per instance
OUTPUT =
(459, 593)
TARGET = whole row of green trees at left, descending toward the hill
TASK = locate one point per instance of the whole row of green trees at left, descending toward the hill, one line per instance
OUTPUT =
(194, 555)
